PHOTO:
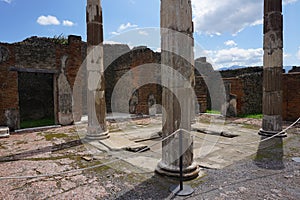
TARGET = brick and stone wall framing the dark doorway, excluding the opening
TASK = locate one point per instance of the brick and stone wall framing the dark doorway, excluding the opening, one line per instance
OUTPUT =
(34, 55)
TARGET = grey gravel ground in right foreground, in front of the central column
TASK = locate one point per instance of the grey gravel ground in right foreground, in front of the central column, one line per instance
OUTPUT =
(244, 180)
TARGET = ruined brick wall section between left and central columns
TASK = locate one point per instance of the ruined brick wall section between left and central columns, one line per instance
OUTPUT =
(123, 62)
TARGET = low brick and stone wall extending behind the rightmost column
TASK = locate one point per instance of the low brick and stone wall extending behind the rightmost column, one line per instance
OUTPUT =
(248, 88)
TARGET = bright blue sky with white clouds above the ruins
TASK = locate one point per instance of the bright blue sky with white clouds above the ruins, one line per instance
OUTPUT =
(228, 31)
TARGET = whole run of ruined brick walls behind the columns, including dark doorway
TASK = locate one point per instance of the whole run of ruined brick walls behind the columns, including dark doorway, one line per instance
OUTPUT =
(38, 75)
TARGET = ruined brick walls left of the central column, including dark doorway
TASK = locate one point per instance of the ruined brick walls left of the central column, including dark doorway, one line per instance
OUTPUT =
(39, 75)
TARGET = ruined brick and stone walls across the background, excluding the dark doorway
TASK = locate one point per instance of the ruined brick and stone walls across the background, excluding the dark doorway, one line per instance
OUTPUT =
(44, 56)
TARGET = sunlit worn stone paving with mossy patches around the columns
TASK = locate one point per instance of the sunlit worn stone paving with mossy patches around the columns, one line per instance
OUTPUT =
(61, 149)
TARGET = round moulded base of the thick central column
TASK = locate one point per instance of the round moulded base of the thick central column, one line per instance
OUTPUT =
(189, 173)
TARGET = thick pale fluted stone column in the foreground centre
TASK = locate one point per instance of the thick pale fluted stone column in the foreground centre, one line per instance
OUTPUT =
(177, 52)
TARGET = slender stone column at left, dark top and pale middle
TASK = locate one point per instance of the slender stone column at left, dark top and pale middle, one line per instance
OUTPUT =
(96, 106)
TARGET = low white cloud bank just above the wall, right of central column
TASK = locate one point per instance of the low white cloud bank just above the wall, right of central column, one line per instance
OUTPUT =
(235, 56)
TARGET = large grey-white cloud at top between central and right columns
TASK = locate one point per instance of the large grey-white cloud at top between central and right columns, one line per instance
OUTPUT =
(217, 17)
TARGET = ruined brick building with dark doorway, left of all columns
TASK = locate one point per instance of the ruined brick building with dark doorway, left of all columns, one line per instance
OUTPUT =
(29, 74)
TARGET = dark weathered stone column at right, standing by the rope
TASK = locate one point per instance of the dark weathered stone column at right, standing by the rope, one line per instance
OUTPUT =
(273, 63)
